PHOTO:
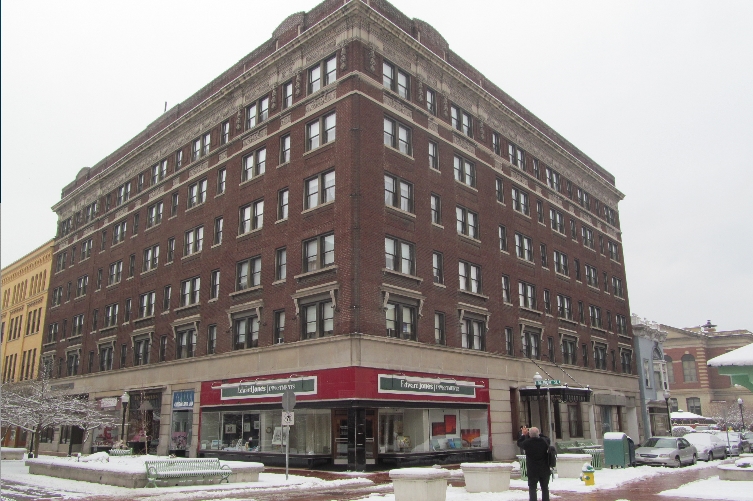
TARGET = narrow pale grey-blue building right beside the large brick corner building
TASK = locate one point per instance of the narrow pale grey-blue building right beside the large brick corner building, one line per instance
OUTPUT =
(652, 373)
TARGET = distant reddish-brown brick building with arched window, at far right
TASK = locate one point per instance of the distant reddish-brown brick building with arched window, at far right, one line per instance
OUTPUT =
(696, 387)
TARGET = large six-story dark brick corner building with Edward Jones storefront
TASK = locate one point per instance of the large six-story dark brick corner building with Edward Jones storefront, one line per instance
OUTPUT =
(353, 212)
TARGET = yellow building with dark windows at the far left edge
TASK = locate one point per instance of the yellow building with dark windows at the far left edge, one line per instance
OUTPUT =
(24, 305)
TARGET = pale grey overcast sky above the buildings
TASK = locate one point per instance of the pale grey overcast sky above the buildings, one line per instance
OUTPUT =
(658, 93)
